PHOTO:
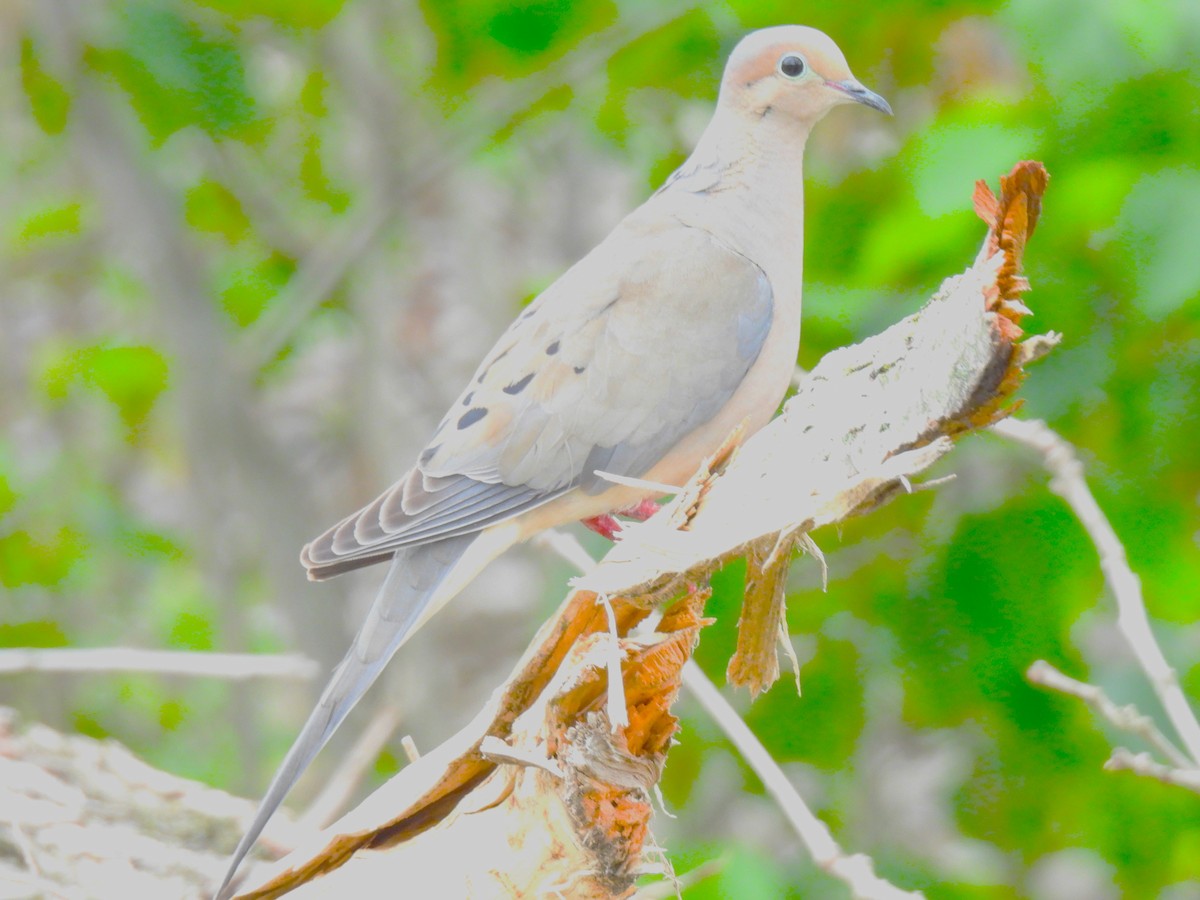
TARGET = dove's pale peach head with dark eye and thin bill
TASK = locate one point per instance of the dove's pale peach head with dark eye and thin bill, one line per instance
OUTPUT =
(794, 71)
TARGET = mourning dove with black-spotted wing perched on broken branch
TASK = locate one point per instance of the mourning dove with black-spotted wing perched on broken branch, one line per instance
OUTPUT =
(639, 362)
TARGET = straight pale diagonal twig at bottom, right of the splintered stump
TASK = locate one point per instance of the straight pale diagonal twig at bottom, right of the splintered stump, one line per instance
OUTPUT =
(856, 871)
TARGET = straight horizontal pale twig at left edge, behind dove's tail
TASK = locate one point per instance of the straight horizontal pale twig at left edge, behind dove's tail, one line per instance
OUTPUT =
(231, 667)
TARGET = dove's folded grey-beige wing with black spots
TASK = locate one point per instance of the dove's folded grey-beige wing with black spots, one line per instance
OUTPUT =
(638, 345)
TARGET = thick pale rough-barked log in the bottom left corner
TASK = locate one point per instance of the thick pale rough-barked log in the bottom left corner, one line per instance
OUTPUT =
(88, 818)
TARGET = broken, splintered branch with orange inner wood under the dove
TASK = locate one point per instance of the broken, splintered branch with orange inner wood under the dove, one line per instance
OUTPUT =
(566, 808)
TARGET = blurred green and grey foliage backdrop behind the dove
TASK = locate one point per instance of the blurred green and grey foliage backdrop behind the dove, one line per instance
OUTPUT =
(251, 249)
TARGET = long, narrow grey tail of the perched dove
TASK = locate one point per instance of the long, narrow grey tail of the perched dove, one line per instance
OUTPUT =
(419, 583)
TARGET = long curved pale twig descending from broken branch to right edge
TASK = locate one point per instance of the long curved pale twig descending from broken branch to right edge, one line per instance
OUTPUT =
(1067, 481)
